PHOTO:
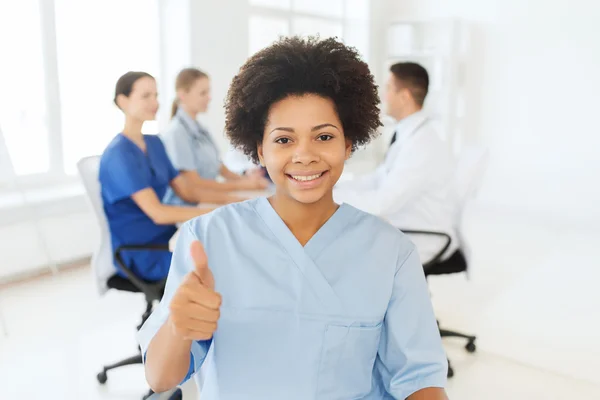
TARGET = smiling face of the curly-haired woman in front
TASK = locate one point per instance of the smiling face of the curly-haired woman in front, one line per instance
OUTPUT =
(304, 148)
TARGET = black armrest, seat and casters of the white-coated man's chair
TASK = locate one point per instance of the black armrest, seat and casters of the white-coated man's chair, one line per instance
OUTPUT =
(456, 263)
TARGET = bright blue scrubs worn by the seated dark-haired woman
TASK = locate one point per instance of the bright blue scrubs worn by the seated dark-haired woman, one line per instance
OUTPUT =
(124, 170)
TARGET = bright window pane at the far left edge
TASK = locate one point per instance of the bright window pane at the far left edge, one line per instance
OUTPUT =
(23, 111)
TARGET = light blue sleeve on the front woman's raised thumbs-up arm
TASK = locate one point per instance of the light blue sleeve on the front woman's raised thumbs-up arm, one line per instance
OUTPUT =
(181, 265)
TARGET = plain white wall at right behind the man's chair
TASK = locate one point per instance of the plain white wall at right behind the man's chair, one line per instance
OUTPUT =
(536, 74)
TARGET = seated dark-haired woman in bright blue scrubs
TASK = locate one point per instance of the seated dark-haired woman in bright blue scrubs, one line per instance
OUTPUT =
(134, 175)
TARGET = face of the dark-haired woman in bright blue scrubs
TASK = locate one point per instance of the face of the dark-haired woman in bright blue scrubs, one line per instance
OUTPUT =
(142, 103)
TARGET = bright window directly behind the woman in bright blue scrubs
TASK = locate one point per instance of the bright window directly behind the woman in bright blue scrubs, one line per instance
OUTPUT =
(91, 61)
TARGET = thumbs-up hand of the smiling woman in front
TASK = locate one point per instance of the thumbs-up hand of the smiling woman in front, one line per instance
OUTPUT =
(195, 305)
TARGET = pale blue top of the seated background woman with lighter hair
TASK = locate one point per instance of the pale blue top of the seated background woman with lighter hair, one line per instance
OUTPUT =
(190, 148)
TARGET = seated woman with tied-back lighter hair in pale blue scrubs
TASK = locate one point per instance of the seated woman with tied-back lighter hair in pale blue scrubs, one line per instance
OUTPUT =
(191, 147)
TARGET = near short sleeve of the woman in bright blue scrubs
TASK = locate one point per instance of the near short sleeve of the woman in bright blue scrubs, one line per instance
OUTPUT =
(122, 174)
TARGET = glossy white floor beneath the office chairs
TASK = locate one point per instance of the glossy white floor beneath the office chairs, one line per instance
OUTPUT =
(532, 301)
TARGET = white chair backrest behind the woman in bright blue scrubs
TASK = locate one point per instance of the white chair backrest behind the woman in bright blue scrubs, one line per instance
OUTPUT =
(102, 259)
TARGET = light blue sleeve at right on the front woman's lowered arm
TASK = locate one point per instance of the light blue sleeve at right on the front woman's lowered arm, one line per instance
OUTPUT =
(411, 356)
